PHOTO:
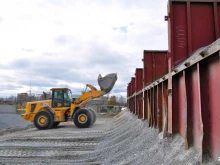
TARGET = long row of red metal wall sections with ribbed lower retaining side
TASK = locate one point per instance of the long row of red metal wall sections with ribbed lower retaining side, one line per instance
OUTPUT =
(184, 99)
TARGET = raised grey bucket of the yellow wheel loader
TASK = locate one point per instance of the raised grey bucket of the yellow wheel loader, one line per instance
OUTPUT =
(107, 82)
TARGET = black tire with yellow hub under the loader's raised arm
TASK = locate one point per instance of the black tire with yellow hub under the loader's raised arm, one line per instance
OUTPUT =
(80, 115)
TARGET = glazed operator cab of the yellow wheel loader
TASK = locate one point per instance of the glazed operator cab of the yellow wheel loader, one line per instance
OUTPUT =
(61, 97)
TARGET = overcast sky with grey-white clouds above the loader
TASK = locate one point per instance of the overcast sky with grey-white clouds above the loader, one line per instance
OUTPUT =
(68, 43)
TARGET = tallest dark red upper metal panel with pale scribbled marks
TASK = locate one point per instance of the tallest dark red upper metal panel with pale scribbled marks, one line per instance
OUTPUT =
(192, 24)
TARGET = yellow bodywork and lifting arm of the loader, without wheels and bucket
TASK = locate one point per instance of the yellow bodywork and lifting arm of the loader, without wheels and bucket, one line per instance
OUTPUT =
(61, 112)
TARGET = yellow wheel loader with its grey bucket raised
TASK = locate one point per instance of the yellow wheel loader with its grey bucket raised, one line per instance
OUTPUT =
(61, 107)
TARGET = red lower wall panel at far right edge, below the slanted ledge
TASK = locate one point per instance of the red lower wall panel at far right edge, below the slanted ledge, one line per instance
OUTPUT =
(209, 81)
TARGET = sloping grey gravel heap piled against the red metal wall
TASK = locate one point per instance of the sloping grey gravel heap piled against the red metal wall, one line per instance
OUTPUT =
(130, 141)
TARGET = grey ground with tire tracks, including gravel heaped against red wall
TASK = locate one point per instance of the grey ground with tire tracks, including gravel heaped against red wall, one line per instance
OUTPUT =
(121, 140)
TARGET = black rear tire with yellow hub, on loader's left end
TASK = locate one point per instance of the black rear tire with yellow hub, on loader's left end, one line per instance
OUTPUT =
(44, 120)
